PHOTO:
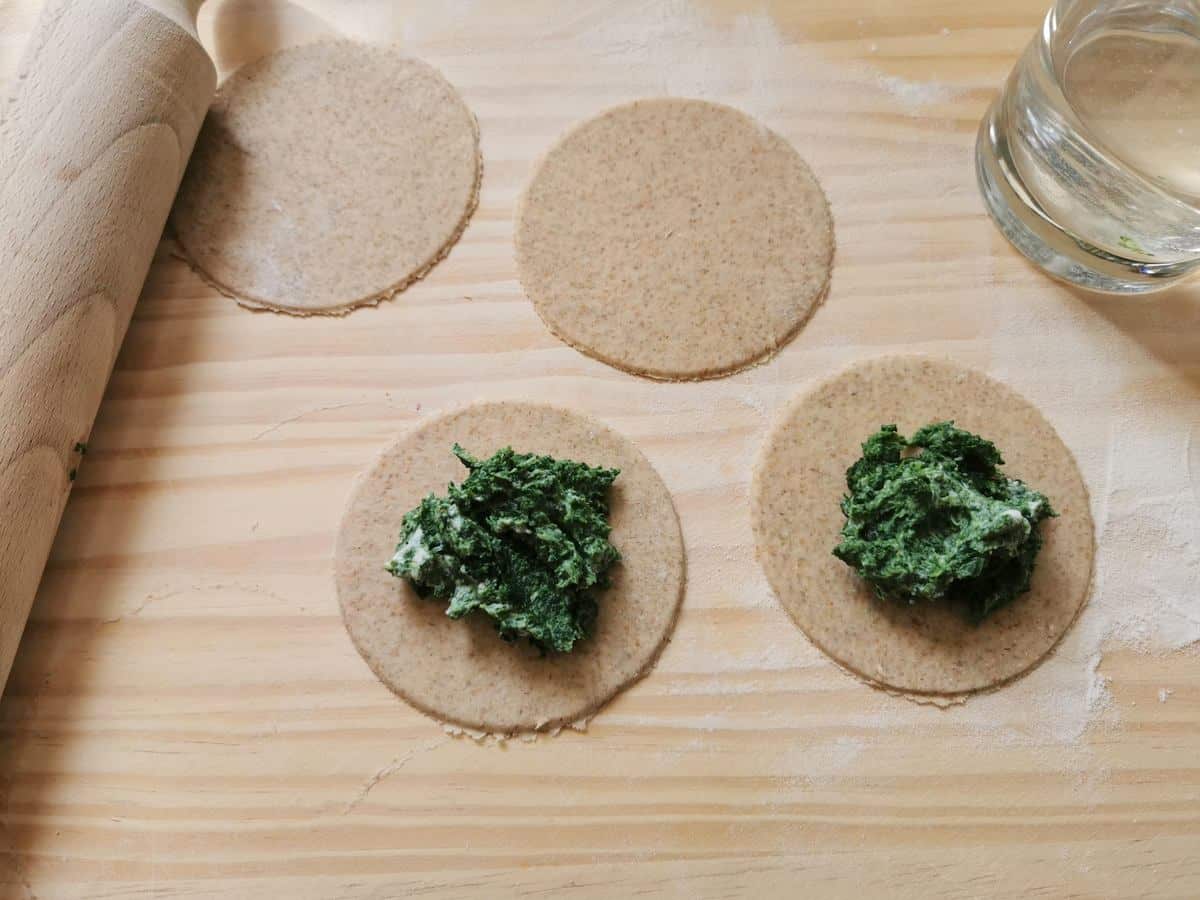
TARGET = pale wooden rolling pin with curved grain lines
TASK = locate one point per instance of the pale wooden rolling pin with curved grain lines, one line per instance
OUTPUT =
(94, 141)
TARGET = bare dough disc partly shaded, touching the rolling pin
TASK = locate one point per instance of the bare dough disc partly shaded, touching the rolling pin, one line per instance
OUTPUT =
(328, 177)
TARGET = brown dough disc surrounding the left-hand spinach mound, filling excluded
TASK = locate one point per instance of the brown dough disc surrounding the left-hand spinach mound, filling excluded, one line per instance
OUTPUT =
(461, 671)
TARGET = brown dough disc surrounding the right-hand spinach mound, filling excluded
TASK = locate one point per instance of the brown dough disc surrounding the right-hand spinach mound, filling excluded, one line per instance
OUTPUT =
(801, 479)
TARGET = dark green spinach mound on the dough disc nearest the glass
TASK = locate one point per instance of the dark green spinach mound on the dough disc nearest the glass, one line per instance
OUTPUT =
(933, 519)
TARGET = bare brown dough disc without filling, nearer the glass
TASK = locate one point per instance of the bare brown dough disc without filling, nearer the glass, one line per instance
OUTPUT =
(676, 239)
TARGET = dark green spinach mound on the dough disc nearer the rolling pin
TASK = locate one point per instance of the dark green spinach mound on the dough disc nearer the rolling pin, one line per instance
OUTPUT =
(524, 539)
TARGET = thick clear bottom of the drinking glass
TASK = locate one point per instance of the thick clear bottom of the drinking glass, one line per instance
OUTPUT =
(1046, 244)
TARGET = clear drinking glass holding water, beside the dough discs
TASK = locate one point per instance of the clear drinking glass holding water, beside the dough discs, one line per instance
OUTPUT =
(1090, 160)
